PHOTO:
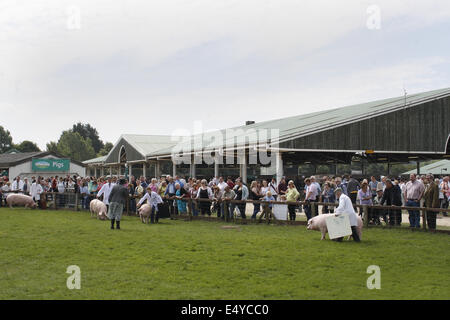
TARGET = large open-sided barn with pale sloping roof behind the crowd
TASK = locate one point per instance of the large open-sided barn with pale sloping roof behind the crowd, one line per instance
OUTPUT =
(404, 129)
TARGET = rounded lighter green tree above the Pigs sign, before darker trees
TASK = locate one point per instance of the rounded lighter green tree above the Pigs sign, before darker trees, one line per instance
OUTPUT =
(73, 145)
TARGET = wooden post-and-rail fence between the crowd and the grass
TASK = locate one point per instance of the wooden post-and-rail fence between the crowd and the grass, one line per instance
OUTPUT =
(76, 201)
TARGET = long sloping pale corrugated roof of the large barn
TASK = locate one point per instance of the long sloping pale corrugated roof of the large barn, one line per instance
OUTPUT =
(302, 125)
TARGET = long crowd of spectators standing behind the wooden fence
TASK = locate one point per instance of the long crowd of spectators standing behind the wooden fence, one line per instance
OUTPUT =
(167, 195)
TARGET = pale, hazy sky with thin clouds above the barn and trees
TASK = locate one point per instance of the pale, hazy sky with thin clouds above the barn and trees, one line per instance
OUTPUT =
(160, 66)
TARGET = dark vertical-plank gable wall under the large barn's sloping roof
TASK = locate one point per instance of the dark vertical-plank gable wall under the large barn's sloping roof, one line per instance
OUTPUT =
(423, 128)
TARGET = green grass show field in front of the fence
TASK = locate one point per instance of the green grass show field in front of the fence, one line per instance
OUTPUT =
(177, 259)
